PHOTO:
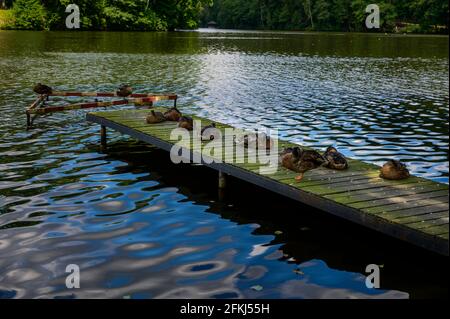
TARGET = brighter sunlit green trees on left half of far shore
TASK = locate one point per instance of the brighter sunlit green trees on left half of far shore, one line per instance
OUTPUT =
(141, 15)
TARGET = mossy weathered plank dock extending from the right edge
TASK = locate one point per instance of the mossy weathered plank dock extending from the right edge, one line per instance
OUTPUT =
(415, 210)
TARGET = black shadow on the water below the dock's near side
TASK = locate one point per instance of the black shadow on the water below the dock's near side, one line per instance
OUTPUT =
(304, 233)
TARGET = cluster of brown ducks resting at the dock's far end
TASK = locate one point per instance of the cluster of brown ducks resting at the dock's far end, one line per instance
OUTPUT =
(186, 122)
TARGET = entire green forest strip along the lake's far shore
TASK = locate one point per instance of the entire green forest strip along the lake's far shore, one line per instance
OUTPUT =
(416, 16)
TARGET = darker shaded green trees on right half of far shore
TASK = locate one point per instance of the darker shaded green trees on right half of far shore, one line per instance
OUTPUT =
(327, 15)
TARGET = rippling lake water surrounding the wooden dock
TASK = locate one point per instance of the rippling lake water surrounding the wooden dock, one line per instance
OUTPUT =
(140, 227)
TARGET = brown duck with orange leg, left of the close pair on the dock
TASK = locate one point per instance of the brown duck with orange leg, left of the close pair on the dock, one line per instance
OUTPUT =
(300, 160)
